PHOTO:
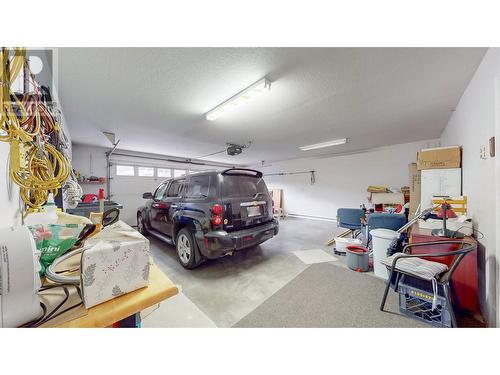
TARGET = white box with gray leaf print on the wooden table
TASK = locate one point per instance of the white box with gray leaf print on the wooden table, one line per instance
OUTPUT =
(116, 262)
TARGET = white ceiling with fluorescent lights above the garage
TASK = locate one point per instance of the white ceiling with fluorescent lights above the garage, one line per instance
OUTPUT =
(155, 99)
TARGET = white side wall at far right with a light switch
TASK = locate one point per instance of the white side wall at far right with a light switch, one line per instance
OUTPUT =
(471, 125)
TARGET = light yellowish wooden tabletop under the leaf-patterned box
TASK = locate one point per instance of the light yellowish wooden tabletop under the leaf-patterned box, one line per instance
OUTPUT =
(118, 309)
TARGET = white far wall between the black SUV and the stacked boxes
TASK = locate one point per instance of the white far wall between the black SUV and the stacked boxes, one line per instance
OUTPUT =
(341, 181)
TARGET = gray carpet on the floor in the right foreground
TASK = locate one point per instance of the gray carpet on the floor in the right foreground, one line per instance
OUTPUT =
(325, 295)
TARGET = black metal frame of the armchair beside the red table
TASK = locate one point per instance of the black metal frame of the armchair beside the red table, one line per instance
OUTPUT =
(444, 280)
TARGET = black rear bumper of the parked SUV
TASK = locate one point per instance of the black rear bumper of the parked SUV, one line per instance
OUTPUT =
(215, 244)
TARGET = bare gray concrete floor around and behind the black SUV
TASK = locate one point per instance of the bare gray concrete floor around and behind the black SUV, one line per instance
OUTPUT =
(221, 292)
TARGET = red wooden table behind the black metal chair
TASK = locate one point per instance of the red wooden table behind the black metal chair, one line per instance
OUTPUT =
(465, 278)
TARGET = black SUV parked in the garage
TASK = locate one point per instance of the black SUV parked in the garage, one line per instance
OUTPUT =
(207, 215)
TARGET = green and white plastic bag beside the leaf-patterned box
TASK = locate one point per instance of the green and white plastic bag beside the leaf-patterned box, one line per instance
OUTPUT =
(54, 240)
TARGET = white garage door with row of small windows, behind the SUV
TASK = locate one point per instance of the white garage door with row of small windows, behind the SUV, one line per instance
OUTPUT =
(130, 180)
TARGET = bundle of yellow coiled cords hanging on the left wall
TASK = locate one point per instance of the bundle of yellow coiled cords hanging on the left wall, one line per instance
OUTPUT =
(35, 164)
